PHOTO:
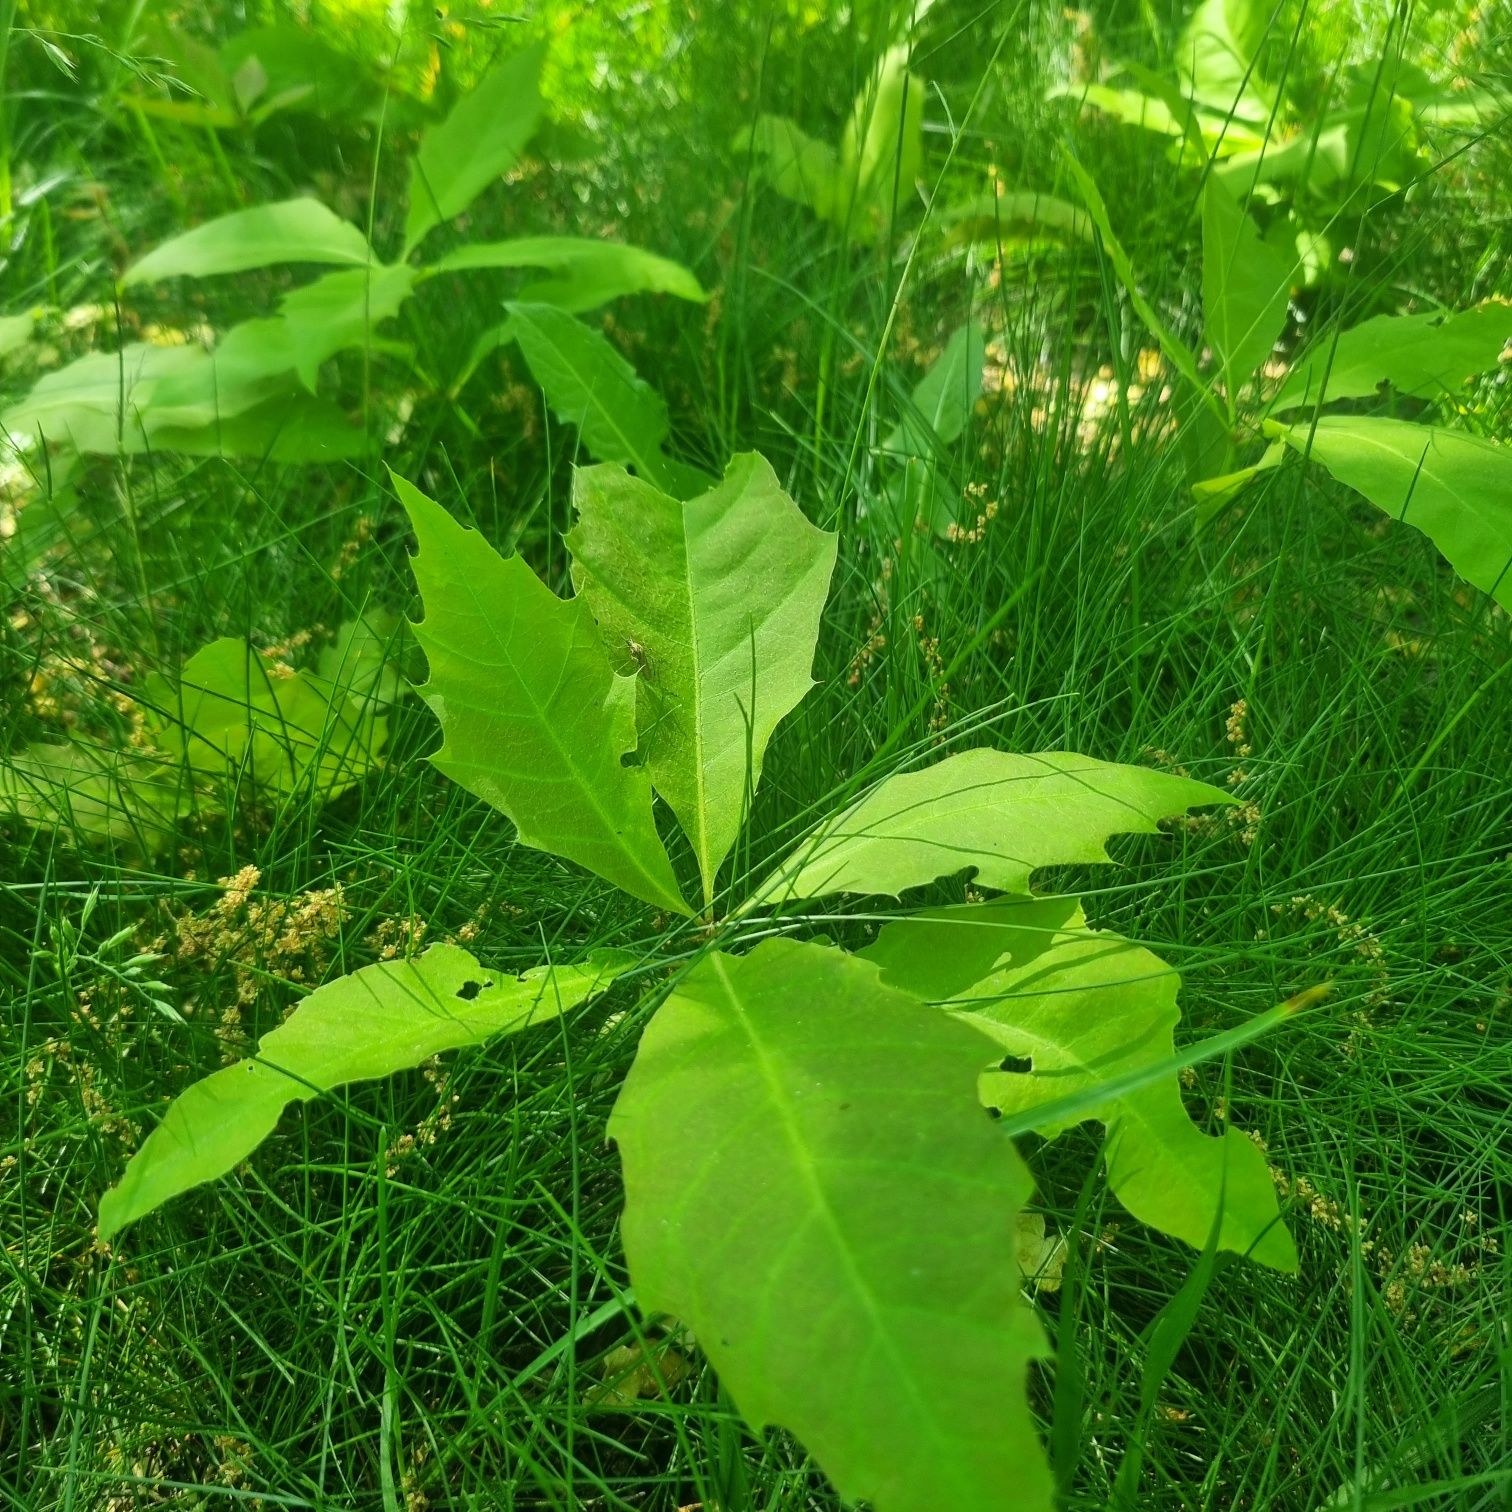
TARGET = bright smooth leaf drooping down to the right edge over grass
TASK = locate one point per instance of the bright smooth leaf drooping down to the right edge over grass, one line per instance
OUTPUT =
(1455, 489)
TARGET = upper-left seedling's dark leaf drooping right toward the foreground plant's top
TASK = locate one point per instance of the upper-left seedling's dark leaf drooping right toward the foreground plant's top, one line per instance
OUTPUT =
(587, 383)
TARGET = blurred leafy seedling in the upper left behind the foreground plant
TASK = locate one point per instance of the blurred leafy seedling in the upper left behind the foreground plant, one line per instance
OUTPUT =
(255, 394)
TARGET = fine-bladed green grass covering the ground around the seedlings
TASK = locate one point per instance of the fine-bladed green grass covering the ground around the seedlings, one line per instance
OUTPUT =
(355, 1322)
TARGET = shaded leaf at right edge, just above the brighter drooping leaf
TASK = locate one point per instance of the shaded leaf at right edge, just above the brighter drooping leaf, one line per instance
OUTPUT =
(1425, 356)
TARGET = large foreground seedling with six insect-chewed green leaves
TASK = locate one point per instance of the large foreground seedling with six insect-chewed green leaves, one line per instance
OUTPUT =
(813, 1185)
